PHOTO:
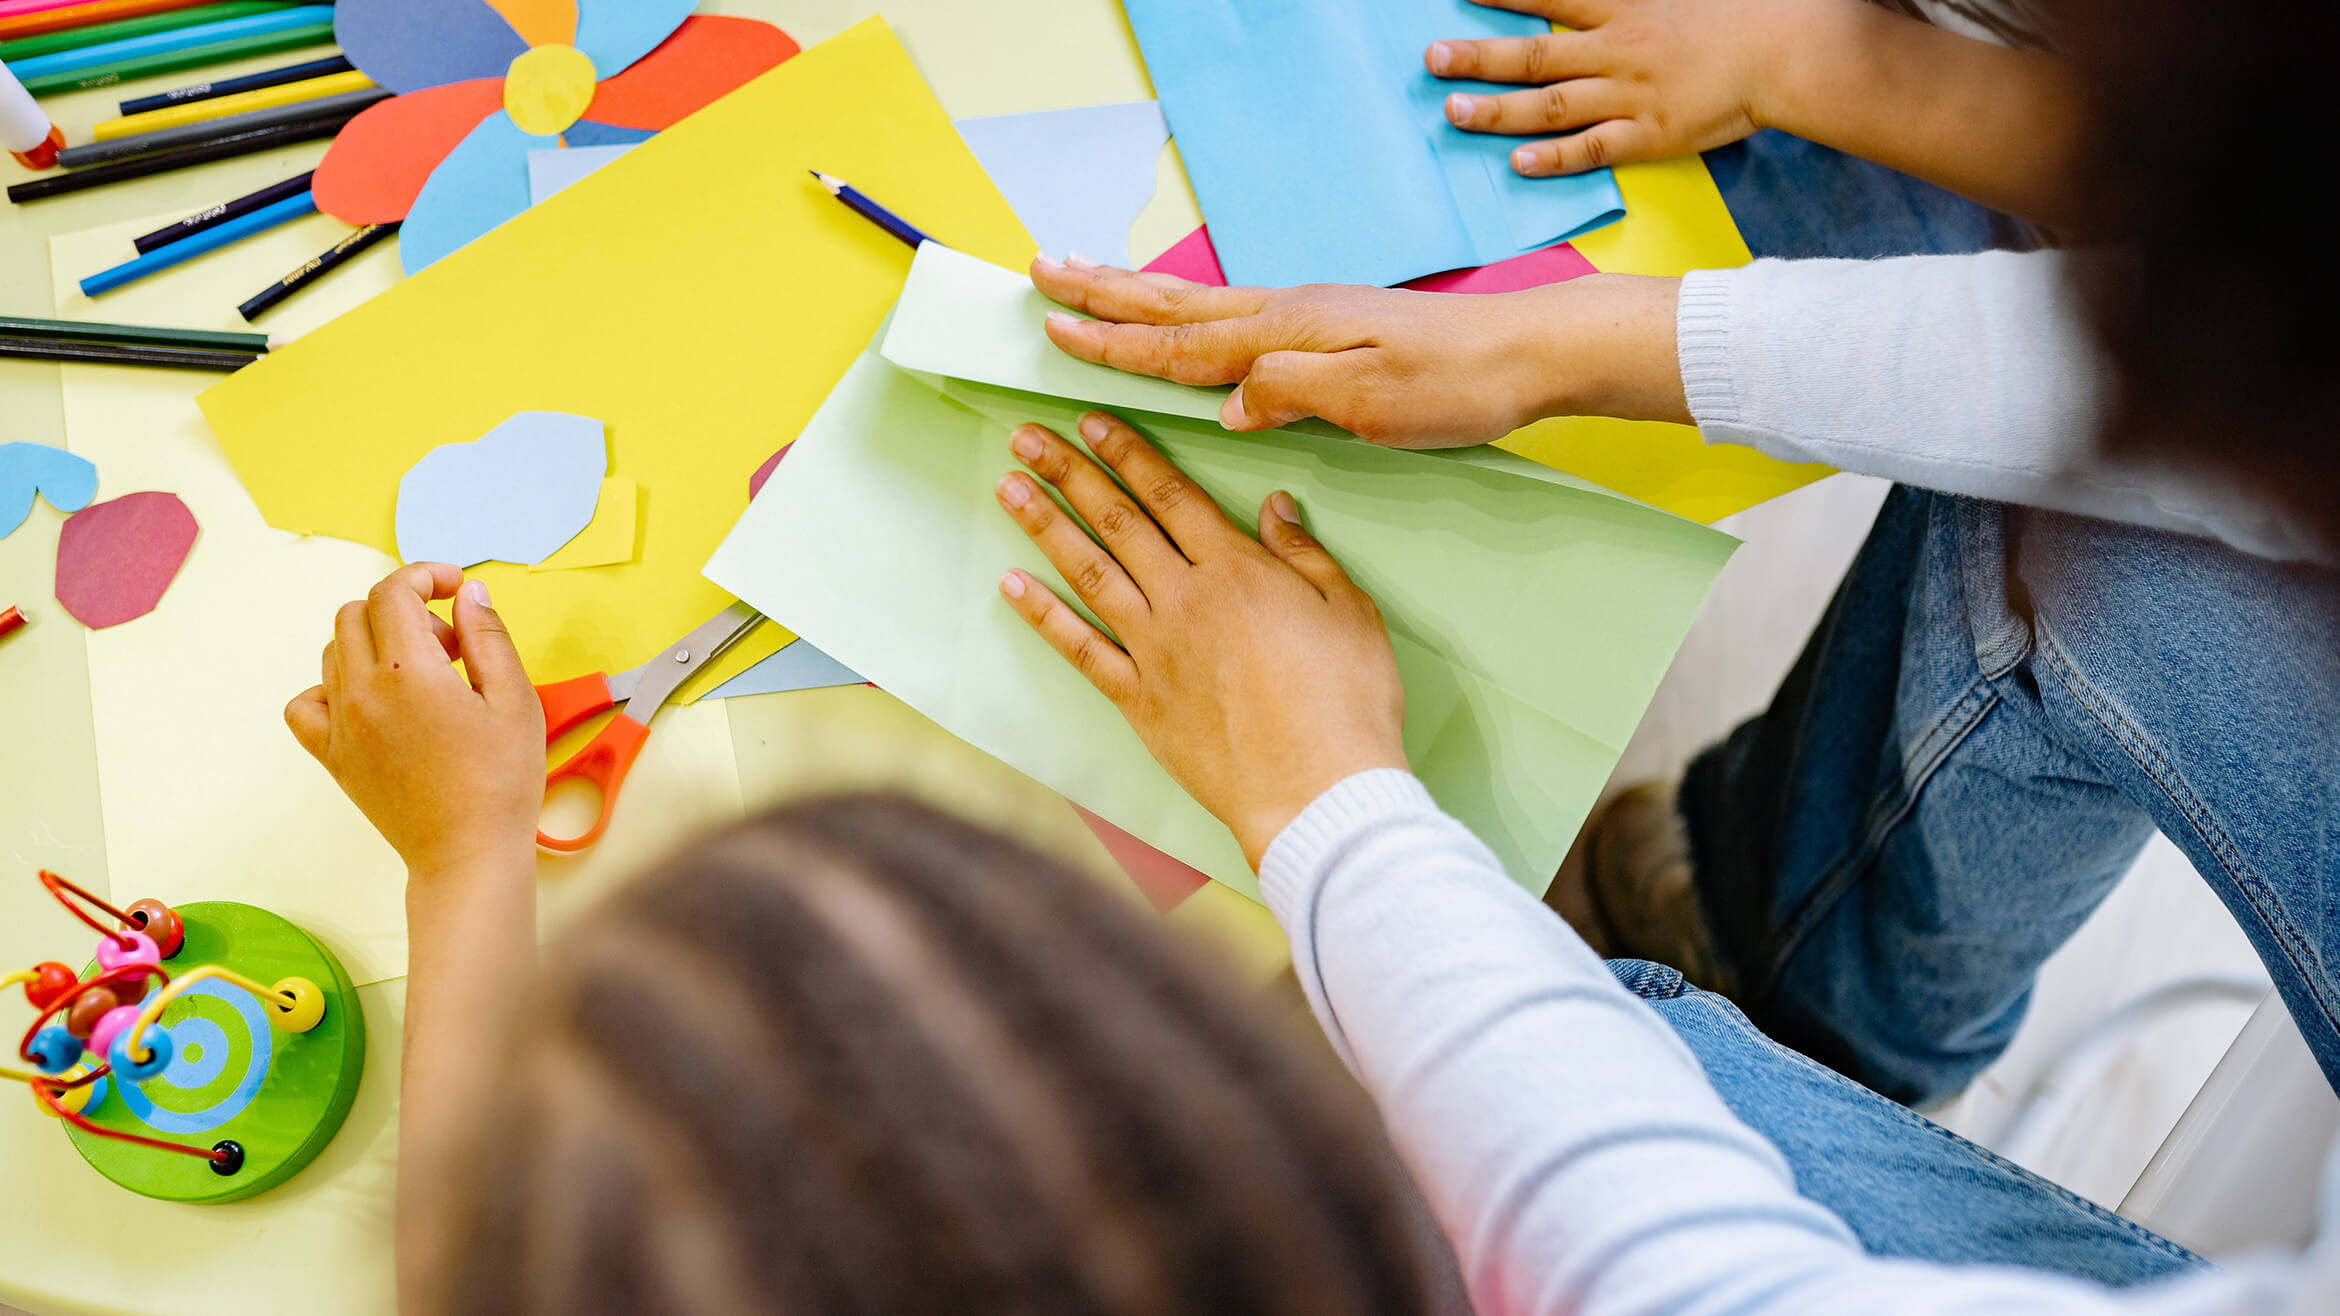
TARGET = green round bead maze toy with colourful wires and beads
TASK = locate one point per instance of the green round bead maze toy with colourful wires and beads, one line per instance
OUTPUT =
(174, 1071)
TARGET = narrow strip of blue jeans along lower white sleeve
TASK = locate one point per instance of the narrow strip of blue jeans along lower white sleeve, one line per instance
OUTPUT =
(1906, 1186)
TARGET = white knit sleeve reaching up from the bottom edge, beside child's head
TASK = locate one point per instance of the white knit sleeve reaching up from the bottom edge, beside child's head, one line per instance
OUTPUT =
(1567, 1139)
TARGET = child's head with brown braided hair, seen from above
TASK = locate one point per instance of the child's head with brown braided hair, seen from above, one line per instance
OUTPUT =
(862, 1057)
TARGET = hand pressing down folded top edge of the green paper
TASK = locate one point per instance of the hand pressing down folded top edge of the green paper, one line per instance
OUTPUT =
(1389, 366)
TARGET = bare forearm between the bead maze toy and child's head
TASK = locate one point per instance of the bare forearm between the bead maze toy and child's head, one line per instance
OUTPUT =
(472, 959)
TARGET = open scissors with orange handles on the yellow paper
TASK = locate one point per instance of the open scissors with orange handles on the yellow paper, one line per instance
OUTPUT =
(638, 697)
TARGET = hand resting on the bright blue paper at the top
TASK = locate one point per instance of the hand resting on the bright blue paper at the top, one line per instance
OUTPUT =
(1642, 78)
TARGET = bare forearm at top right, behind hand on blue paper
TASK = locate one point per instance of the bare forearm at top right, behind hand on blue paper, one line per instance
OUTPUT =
(1981, 121)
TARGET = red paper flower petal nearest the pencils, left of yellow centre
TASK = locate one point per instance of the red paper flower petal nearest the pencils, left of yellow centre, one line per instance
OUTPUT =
(380, 160)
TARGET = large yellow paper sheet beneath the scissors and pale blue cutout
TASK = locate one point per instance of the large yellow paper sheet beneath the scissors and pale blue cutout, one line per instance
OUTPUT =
(701, 296)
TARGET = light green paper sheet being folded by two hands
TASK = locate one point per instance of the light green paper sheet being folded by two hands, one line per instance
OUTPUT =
(1532, 617)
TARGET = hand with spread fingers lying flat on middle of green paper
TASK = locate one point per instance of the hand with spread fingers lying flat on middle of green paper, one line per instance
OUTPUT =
(1255, 671)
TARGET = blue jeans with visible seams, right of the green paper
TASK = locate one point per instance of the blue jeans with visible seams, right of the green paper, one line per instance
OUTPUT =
(1995, 715)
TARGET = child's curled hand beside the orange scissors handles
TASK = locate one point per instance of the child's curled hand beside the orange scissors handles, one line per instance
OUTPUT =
(448, 772)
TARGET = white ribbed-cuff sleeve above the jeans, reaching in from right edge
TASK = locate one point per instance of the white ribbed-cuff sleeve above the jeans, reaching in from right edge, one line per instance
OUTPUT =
(1960, 373)
